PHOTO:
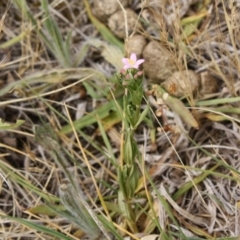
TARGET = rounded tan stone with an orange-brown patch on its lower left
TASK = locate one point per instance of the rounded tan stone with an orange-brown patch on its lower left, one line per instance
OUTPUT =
(182, 83)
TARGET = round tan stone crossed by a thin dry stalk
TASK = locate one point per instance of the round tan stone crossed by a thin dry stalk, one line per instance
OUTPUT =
(117, 23)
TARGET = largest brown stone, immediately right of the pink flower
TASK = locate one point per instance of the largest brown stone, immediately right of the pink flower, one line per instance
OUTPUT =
(159, 62)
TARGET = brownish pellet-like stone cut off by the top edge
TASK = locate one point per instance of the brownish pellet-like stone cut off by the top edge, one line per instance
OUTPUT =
(103, 9)
